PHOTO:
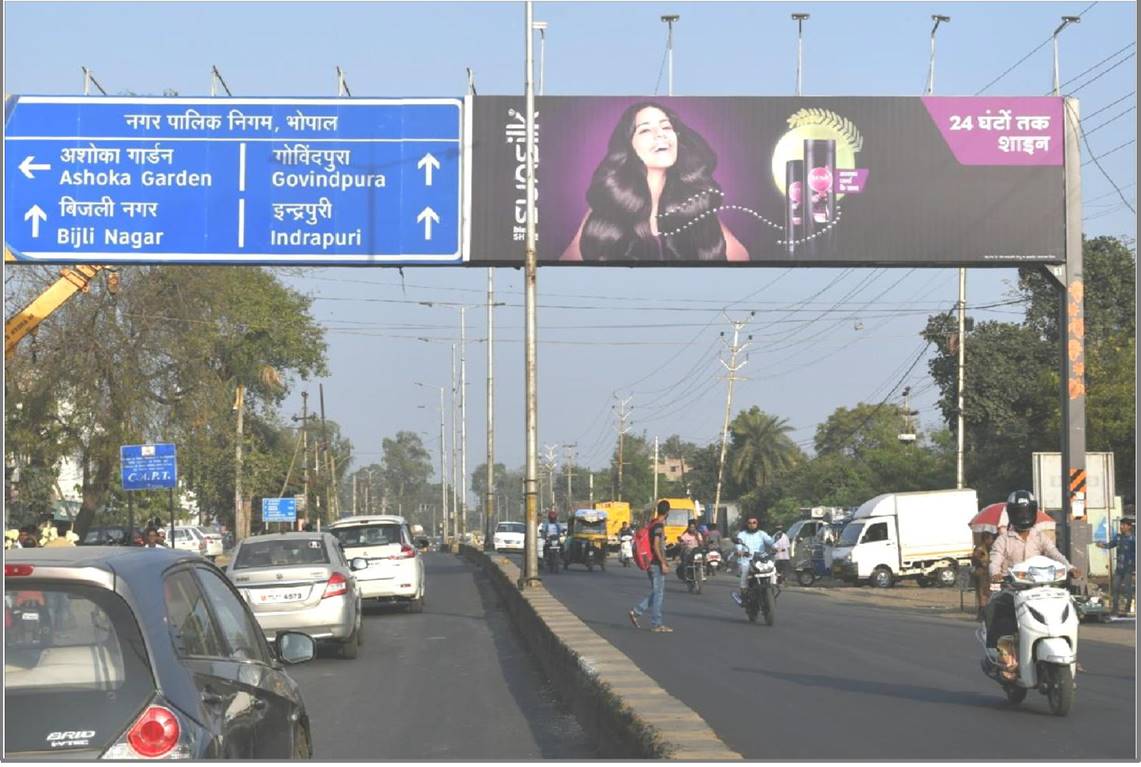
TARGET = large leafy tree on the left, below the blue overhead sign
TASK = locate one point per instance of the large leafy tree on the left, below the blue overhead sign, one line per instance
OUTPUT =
(160, 360)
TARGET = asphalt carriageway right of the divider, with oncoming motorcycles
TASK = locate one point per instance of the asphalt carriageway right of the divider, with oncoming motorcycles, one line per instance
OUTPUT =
(835, 681)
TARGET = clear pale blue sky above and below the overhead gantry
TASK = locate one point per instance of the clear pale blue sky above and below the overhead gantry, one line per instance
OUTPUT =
(670, 320)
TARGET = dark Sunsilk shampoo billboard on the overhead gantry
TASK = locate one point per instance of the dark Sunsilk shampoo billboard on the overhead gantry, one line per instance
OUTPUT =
(772, 181)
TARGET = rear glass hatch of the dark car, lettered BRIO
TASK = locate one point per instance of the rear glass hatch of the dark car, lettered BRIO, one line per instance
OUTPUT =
(74, 661)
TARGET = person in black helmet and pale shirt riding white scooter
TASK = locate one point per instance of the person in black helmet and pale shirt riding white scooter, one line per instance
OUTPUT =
(1021, 543)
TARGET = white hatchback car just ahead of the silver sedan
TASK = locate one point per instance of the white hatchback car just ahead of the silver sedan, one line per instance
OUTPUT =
(396, 570)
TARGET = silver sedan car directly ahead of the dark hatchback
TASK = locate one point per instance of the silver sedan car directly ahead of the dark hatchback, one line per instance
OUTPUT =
(301, 583)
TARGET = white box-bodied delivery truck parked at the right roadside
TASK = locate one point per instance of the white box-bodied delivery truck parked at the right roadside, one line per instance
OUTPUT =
(922, 536)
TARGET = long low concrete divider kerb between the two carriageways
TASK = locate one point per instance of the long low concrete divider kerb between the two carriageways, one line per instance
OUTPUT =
(592, 676)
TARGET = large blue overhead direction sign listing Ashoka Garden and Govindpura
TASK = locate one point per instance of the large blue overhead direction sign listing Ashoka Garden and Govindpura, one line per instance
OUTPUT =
(233, 181)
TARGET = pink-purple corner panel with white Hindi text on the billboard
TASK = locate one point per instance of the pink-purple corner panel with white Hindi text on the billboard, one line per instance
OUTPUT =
(1000, 132)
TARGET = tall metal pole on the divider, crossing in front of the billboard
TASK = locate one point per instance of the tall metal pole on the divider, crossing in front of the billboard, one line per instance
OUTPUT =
(531, 367)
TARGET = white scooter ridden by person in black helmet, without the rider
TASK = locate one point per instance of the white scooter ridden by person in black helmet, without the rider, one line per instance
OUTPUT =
(1046, 640)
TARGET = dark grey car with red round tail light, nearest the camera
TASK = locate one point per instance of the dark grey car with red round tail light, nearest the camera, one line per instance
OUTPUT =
(142, 653)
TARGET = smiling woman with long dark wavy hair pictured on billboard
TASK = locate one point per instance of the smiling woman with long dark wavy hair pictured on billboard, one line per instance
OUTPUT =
(653, 198)
